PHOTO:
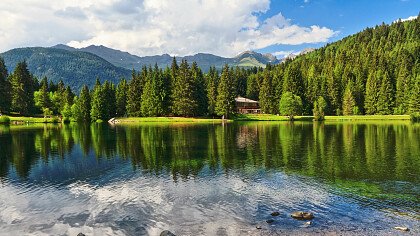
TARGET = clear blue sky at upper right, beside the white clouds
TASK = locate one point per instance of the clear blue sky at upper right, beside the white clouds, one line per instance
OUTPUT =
(344, 16)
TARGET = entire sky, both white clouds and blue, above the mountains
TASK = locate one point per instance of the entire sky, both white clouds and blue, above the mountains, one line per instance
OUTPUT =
(186, 27)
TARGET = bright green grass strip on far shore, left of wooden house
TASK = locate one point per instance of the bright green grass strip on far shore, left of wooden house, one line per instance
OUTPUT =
(165, 119)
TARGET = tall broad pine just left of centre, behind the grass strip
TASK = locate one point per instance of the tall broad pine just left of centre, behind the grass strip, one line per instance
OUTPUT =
(184, 103)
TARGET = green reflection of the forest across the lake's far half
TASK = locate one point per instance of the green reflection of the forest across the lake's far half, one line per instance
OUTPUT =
(332, 151)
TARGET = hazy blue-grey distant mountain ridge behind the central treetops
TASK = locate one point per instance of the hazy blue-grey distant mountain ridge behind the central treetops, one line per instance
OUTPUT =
(204, 60)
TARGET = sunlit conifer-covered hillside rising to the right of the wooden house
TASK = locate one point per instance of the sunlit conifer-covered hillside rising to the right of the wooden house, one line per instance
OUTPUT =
(376, 71)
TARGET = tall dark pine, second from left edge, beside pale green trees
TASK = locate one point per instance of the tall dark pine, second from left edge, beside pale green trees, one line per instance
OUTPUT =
(22, 88)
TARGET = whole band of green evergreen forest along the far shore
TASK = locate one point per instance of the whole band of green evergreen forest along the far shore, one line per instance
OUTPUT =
(376, 71)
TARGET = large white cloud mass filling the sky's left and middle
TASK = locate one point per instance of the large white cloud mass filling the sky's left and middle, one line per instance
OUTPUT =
(148, 27)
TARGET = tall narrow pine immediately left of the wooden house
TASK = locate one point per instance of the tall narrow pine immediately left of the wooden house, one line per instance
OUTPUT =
(225, 102)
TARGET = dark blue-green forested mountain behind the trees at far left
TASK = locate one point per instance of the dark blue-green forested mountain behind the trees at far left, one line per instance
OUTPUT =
(75, 68)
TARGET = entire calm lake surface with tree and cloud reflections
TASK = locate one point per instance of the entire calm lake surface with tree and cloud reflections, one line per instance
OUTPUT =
(209, 179)
